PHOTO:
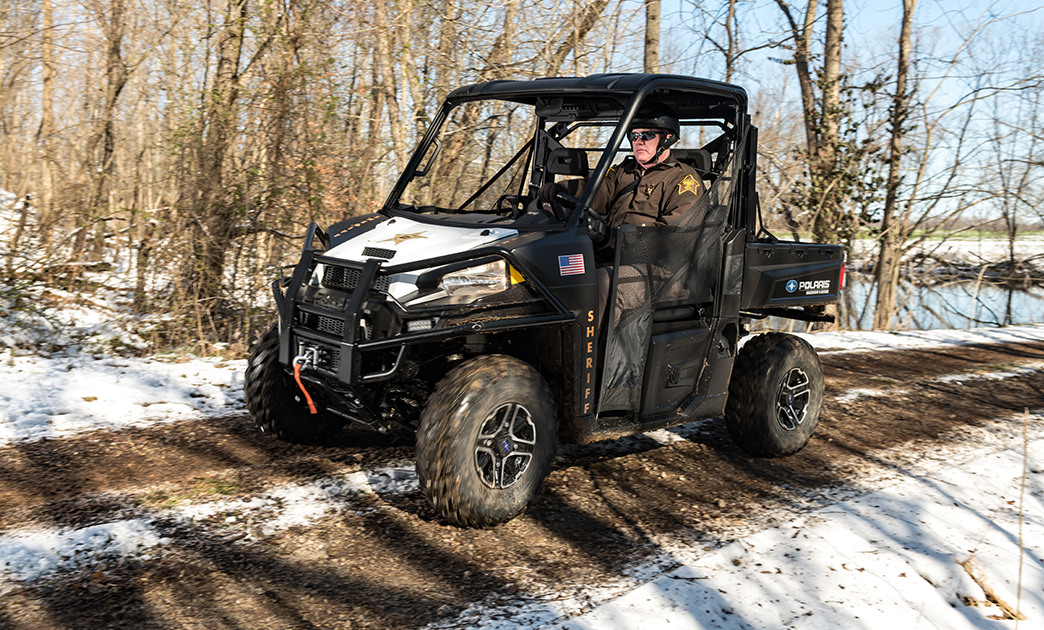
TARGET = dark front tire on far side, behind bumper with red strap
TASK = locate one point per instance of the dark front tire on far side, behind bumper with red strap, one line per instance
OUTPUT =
(276, 402)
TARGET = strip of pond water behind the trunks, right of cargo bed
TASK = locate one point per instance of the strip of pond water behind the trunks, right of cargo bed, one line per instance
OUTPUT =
(952, 306)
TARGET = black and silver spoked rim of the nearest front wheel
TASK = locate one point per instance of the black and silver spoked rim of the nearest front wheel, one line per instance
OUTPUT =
(506, 445)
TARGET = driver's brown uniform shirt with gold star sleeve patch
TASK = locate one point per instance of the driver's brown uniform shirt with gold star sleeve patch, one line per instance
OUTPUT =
(663, 195)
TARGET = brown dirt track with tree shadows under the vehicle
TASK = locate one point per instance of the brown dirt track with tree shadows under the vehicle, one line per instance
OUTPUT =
(390, 563)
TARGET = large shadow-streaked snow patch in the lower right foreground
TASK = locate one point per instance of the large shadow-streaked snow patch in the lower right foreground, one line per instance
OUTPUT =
(893, 558)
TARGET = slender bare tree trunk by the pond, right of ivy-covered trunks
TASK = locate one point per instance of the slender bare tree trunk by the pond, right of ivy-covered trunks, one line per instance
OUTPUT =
(893, 237)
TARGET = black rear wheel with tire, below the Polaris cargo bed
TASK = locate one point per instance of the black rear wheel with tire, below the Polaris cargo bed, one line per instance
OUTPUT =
(775, 395)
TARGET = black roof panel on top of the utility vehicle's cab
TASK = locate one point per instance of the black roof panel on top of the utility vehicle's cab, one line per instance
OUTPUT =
(622, 86)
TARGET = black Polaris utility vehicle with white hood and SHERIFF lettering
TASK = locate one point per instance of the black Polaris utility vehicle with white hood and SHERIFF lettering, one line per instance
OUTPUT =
(466, 310)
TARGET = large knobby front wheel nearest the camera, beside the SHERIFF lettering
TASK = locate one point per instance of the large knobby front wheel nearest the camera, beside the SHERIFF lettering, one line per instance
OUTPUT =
(487, 441)
